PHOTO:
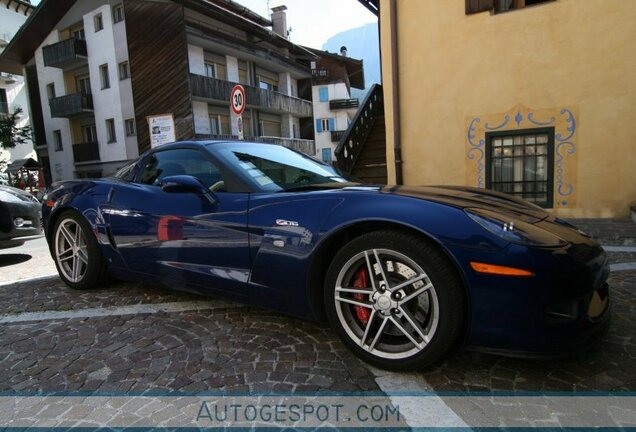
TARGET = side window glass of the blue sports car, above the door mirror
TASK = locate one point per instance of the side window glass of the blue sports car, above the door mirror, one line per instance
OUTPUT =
(169, 163)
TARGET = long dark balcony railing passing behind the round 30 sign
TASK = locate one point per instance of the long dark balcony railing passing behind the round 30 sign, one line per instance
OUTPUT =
(212, 88)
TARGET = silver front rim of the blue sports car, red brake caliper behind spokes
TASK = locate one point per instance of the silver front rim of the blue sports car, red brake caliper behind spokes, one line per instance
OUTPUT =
(402, 304)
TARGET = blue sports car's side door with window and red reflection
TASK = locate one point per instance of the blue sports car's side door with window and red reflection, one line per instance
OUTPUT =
(194, 239)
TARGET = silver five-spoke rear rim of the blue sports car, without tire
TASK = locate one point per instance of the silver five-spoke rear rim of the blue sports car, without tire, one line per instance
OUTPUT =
(71, 252)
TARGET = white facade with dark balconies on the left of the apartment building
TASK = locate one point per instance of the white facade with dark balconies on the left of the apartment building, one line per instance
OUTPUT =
(86, 94)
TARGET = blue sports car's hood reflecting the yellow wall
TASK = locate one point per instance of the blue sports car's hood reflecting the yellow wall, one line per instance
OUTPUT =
(467, 197)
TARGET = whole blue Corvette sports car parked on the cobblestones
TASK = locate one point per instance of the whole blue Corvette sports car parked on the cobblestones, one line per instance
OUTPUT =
(403, 274)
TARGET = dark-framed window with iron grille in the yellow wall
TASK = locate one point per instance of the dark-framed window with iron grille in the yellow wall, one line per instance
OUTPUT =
(521, 163)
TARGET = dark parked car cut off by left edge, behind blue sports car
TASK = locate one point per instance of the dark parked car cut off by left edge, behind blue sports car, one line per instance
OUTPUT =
(20, 216)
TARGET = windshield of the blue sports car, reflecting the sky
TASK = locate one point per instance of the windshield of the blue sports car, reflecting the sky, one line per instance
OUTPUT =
(276, 168)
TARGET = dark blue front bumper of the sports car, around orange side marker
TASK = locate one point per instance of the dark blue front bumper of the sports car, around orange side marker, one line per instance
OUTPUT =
(562, 308)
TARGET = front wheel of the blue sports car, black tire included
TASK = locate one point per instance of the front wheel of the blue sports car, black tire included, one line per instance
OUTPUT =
(440, 307)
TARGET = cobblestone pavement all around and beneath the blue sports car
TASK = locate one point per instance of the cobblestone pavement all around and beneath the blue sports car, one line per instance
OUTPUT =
(247, 349)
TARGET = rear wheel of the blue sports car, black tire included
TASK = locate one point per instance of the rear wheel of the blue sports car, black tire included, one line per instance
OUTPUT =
(94, 271)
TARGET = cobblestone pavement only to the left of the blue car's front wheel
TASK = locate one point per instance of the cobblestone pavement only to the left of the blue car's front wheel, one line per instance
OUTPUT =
(240, 349)
